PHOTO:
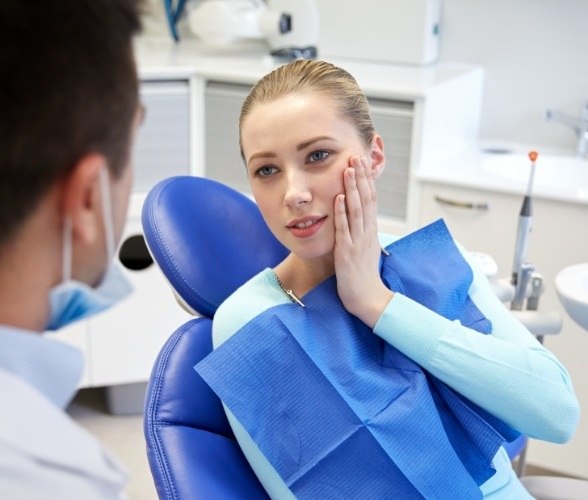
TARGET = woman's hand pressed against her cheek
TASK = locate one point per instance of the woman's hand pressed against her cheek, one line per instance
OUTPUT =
(357, 248)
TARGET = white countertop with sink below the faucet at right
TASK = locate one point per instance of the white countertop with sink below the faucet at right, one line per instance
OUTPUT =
(558, 175)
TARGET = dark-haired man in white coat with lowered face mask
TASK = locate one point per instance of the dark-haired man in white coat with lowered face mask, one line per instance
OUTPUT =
(69, 109)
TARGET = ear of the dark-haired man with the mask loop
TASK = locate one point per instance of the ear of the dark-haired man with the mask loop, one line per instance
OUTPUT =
(81, 197)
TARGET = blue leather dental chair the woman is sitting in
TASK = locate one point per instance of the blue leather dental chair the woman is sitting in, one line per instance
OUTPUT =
(208, 240)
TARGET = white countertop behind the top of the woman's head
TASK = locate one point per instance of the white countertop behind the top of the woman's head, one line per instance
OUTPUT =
(159, 58)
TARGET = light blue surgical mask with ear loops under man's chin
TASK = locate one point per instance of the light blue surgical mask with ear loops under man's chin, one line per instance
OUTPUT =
(73, 300)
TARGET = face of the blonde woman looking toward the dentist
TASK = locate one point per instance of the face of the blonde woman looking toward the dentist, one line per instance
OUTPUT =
(296, 149)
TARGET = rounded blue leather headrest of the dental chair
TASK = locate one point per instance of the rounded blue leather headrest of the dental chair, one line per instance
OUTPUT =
(208, 239)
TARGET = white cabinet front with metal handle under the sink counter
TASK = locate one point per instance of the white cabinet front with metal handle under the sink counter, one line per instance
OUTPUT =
(486, 221)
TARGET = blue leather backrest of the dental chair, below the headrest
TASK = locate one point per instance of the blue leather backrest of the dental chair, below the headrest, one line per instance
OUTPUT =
(191, 449)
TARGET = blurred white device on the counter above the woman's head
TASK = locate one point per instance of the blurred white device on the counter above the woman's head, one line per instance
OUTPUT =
(290, 27)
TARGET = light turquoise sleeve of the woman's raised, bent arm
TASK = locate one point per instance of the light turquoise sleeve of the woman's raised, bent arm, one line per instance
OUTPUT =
(508, 373)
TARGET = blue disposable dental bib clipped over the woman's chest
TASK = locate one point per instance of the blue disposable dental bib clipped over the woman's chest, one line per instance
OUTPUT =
(338, 412)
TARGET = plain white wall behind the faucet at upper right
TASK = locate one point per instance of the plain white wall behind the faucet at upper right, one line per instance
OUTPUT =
(535, 53)
